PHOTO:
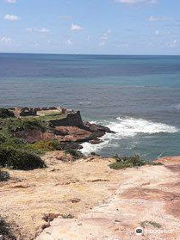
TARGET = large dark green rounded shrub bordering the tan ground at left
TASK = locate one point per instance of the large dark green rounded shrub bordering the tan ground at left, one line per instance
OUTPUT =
(19, 159)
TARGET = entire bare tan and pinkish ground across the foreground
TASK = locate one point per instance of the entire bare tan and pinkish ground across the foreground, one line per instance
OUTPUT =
(106, 204)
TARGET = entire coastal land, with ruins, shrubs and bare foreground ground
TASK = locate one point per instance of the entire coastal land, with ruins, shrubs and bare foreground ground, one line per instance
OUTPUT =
(42, 202)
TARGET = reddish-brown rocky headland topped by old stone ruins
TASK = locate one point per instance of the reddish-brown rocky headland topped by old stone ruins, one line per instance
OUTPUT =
(67, 126)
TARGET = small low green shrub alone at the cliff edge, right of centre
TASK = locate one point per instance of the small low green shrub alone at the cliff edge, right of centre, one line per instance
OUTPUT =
(127, 162)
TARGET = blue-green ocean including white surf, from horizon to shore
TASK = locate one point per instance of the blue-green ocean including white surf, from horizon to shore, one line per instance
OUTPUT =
(138, 97)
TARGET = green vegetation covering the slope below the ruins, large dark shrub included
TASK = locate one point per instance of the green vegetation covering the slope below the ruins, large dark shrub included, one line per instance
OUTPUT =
(16, 153)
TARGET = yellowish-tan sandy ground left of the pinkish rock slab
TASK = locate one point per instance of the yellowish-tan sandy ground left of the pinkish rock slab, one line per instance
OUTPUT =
(30, 194)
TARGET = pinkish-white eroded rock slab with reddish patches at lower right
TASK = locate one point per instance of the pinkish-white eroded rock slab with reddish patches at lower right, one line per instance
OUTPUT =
(149, 195)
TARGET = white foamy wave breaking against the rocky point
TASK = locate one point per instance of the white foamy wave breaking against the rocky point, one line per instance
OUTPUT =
(125, 127)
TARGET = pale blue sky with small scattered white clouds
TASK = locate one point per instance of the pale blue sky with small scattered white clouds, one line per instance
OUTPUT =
(90, 26)
